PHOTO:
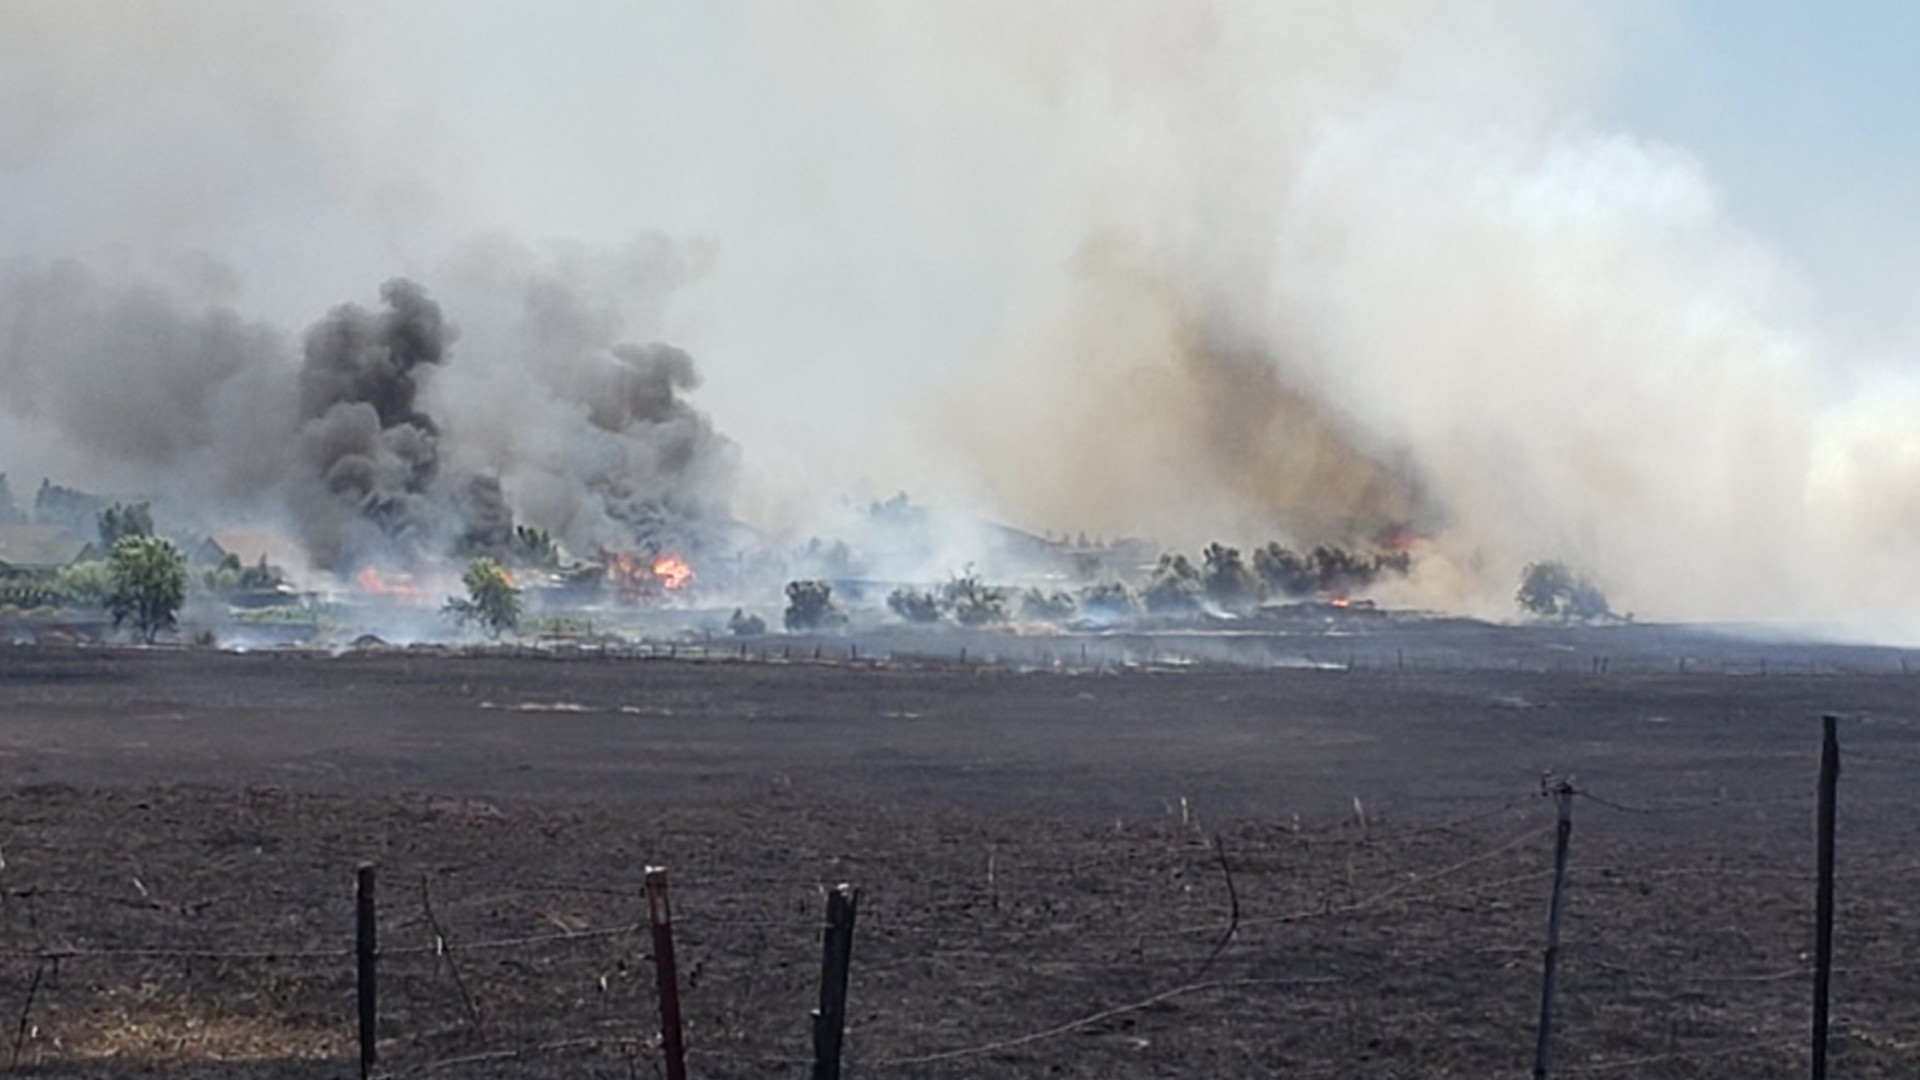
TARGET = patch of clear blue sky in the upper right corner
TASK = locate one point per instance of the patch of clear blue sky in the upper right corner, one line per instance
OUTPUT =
(1808, 116)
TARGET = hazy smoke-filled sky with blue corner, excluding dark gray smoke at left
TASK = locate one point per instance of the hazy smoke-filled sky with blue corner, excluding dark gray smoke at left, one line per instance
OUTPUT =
(1623, 283)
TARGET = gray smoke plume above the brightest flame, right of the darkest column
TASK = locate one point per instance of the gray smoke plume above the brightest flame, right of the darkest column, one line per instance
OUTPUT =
(594, 435)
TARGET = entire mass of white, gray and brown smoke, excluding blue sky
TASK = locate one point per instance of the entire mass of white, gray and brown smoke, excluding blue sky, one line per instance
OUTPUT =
(1186, 270)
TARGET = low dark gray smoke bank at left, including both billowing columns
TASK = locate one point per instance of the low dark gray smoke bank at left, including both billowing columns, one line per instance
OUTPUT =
(135, 391)
